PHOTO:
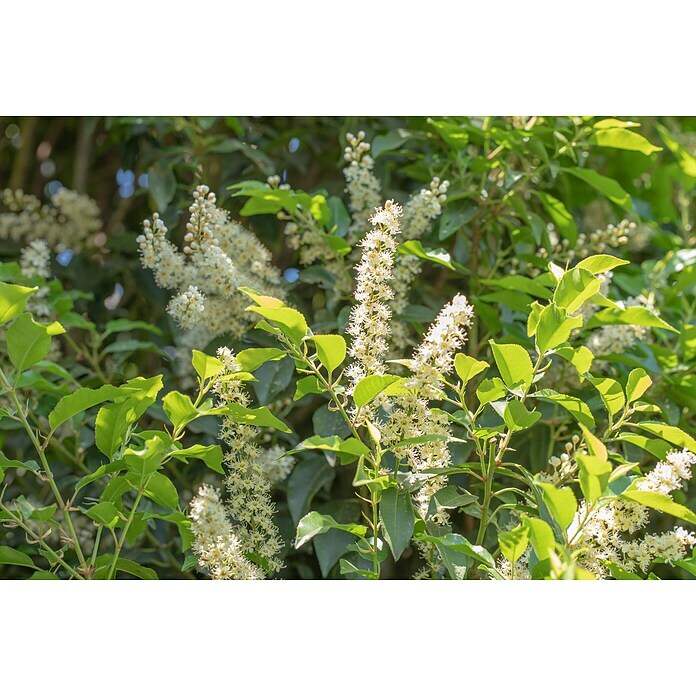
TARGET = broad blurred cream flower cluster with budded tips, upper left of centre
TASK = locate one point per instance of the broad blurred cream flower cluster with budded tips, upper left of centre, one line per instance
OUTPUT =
(219, 256)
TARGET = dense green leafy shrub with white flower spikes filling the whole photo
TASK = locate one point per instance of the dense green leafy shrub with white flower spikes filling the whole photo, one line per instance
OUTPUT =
(365, 348)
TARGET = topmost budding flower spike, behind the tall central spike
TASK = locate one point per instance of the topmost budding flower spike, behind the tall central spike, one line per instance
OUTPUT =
(363, 187)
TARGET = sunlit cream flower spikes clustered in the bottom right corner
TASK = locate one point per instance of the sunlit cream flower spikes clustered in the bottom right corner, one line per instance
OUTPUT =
(601, 533)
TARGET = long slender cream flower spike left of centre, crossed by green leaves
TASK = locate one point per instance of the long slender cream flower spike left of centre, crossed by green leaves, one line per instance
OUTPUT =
(248, 484)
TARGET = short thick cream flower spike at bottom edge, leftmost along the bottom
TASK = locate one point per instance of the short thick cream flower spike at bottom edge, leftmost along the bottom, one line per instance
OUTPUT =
(218, 548)
